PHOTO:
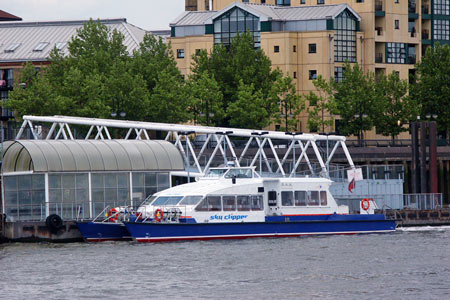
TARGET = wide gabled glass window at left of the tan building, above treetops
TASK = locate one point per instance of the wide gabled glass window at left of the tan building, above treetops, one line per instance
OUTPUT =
(233, 21)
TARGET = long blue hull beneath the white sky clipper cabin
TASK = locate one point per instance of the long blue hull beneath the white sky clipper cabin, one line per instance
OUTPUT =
(349, 224)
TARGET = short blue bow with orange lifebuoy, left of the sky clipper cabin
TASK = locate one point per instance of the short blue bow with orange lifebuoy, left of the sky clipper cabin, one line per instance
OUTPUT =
(107, 228)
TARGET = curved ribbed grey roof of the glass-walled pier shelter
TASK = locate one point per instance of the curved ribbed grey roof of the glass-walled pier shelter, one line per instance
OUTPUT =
(90, 155)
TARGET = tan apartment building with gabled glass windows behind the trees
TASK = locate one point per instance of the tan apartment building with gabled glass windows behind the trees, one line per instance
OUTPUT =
(388, 35)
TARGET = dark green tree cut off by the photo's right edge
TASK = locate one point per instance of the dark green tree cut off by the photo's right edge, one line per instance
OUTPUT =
(432, 89)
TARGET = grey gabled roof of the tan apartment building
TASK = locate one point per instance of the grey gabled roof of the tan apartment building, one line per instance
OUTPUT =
(267, 12)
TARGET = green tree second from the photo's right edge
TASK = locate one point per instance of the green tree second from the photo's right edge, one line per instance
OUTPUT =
(397, 108)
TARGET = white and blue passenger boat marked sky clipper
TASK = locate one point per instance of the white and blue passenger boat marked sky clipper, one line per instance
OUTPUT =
(236, 203)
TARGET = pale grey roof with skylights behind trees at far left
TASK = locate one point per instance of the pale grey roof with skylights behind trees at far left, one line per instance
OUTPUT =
(31, 34)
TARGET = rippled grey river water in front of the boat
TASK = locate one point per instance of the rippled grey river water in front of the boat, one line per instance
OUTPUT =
(408, 264)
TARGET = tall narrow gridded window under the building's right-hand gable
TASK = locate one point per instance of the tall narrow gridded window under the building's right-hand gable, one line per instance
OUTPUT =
(345, 37)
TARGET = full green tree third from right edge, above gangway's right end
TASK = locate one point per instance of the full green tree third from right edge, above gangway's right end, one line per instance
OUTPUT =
(357, 101)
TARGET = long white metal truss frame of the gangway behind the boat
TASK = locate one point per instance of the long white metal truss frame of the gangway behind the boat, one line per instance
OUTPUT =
(100, 128)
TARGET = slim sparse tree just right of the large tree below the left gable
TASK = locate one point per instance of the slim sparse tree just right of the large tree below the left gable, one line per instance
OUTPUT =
(290, 103)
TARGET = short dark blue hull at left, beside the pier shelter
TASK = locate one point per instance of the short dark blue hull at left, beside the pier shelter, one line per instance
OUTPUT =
(99, 232)
